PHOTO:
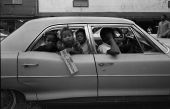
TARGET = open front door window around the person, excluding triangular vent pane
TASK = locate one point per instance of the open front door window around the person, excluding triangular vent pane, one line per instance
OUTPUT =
(123, 36)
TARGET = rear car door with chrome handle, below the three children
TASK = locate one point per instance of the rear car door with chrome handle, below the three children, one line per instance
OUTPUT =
(48, 74)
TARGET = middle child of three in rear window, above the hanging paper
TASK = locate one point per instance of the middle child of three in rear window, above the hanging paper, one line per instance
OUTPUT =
(72, 46)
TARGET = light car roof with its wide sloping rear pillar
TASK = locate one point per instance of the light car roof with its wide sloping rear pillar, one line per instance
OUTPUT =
(26, 34)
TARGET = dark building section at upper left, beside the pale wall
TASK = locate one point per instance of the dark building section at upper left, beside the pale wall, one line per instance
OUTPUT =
(13, 13)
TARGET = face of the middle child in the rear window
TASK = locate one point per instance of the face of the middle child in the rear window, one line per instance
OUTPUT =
(67, 37)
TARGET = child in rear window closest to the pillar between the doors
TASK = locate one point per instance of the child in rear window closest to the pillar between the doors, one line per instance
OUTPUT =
(81, 38)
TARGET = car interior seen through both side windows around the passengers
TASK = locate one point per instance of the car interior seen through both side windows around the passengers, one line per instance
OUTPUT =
(127, 39)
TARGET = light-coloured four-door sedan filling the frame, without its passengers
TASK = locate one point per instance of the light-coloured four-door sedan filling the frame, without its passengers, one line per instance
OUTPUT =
(140, 70)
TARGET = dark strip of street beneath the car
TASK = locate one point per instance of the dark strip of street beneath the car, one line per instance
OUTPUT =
(101, 106)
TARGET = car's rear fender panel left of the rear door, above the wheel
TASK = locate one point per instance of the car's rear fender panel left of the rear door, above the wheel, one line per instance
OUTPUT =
(9, 74)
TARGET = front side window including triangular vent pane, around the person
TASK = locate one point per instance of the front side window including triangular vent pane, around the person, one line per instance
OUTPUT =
(127, 38)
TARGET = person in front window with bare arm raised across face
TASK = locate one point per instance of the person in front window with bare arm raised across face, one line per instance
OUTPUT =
(109, 46)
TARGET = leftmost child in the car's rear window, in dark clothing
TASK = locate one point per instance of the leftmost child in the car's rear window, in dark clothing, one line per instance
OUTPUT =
(49, 44)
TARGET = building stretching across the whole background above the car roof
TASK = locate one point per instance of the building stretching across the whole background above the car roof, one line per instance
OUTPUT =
(144, 12)
